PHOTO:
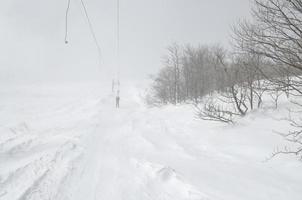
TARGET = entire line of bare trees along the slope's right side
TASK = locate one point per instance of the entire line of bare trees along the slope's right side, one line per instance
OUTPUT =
(266, 60)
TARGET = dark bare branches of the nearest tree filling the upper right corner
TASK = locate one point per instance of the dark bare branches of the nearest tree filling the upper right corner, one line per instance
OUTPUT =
(276, 35)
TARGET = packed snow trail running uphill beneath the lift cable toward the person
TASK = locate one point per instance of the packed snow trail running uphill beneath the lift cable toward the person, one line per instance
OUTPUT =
(116, 163)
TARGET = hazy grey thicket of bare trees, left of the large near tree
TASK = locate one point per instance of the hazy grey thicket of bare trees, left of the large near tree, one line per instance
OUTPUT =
(190, 73)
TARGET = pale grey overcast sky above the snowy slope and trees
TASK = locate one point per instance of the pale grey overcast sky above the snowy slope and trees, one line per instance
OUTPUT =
(32, 35)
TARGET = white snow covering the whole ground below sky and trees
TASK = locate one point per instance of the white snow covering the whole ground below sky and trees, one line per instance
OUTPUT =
(68, 141)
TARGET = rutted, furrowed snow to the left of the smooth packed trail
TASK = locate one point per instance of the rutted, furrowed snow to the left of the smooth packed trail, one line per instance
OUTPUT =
(36, 161)
